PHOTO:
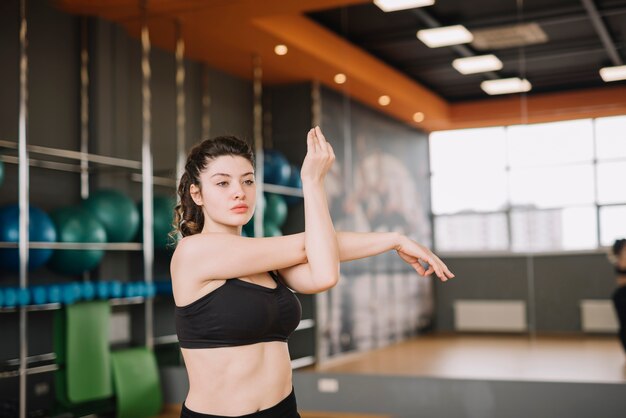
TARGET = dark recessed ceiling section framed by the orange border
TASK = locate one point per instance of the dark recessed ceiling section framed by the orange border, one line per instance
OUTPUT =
(567, 59)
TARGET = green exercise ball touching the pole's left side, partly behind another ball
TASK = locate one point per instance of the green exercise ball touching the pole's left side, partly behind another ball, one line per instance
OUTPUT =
(117, 213)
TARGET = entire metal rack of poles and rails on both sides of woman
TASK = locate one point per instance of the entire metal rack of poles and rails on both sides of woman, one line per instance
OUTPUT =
(79, 162)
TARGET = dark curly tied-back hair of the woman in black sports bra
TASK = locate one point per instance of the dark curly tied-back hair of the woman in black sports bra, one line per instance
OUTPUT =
(188, 217)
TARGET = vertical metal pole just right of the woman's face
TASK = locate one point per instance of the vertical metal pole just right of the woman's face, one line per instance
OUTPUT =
(257, 113)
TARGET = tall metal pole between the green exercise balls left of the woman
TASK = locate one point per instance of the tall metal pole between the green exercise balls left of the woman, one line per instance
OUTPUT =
(146, 173)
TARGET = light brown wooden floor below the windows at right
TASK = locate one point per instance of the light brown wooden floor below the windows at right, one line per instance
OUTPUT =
(569, 359)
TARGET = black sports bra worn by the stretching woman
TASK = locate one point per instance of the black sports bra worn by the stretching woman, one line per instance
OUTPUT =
(238, 313)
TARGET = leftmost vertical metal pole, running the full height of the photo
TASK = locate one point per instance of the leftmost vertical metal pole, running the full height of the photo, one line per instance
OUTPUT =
(23, 203)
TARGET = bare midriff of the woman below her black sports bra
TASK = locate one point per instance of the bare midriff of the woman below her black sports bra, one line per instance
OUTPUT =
(237, 380)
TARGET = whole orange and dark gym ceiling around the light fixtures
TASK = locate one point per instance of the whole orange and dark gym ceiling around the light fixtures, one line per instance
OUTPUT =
(380, 54)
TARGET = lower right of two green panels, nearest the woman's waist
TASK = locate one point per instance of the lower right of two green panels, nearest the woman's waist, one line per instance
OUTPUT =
(136, 380)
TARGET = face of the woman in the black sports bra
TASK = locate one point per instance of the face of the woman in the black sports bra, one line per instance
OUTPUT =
(228, 192)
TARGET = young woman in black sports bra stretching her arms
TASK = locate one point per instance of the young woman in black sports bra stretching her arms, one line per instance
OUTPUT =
(234, 307)
